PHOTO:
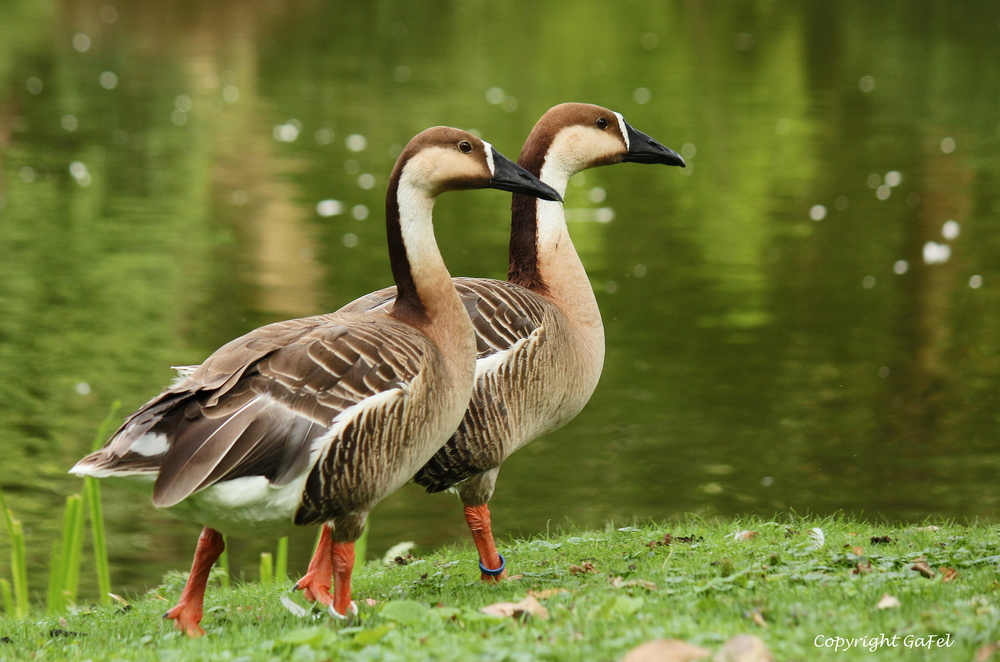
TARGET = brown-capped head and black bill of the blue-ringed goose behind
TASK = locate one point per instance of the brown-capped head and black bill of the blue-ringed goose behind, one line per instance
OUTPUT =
(572, 137)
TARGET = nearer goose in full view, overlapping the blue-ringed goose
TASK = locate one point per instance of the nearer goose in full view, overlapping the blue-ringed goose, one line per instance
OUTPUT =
(315, 420)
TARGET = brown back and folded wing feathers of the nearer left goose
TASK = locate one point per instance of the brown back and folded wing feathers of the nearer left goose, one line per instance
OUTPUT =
(258, 404)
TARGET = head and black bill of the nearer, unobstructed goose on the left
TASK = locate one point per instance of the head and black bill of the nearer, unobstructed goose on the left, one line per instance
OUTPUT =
(445, 159)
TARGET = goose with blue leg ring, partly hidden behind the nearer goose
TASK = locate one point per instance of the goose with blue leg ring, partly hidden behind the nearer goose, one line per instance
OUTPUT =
(539, 335)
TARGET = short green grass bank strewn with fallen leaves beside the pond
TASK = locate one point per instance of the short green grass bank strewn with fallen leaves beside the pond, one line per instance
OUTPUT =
(704, 589)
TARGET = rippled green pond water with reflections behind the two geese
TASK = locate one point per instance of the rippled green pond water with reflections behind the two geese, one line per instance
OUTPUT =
(806, 319)
